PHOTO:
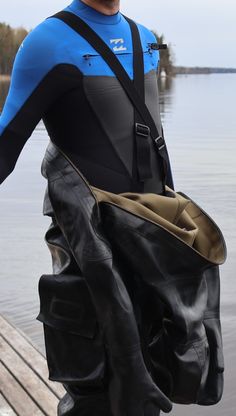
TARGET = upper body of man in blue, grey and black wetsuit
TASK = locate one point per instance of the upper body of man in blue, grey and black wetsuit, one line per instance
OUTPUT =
(60, 78)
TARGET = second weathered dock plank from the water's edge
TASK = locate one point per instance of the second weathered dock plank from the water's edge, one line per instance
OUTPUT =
(26, 377)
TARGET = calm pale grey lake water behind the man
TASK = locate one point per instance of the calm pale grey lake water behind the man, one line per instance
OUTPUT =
(198, 114)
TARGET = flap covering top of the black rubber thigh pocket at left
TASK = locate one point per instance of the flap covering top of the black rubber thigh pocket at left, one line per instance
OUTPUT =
(66, 304)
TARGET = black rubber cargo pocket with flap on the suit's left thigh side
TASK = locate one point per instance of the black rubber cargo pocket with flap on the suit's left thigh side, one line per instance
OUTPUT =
(73, 341)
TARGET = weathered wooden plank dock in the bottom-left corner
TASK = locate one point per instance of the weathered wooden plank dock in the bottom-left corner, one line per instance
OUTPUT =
(24, 386)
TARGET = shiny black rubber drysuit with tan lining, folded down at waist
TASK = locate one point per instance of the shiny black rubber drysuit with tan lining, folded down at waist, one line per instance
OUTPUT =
(131, 314)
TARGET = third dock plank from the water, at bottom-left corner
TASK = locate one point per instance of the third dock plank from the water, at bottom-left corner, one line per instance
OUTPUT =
(16, 395)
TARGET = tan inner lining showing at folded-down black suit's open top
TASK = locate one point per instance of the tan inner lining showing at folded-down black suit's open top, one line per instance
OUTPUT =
(178, 215)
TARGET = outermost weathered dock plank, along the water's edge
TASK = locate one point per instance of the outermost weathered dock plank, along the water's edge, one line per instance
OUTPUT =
(34, 358)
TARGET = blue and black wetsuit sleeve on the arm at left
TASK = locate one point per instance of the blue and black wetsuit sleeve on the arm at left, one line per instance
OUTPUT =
(32, 90)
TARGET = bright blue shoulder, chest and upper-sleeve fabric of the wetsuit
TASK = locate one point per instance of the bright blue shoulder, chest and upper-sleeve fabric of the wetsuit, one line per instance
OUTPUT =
(52, 42)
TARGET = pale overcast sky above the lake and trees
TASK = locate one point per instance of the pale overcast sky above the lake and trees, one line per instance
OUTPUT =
(202, 32)
